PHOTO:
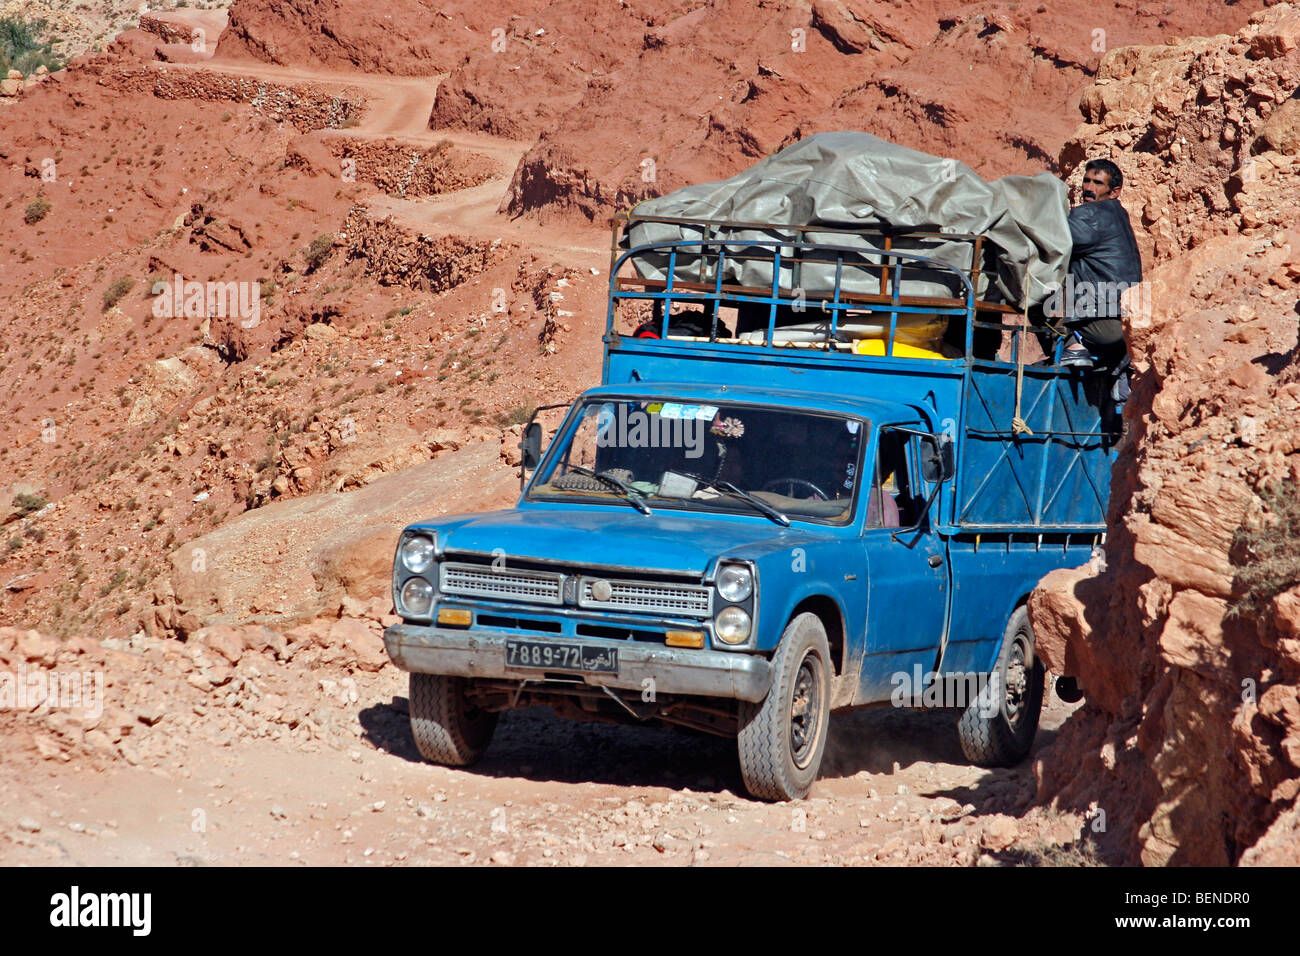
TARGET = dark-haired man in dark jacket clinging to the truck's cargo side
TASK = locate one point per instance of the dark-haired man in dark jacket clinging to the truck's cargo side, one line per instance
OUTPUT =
(1104, 262)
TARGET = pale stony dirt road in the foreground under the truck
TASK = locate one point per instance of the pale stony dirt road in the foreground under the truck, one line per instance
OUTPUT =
(895, 790)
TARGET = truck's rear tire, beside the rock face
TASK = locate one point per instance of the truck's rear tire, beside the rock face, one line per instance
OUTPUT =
(998, 729)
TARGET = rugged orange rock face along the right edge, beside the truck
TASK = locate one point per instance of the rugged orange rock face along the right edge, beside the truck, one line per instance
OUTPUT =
(1185, 639)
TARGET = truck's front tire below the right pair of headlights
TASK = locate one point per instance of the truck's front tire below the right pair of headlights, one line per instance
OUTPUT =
(783, 737)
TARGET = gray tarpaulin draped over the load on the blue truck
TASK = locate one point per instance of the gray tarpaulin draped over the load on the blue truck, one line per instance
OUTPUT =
(847, 180)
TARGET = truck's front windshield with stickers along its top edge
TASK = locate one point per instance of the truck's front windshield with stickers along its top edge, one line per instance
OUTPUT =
(739, 458)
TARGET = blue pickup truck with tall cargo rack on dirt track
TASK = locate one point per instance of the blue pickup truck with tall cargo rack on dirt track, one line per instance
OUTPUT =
(782, 501)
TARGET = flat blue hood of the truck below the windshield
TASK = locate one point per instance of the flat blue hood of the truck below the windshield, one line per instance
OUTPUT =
(664, 542)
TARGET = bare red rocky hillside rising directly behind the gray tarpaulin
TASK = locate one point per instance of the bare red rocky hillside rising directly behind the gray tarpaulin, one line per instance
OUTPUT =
(727, 88)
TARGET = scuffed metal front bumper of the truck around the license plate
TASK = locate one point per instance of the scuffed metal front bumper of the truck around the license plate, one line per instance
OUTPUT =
(461, 654)
